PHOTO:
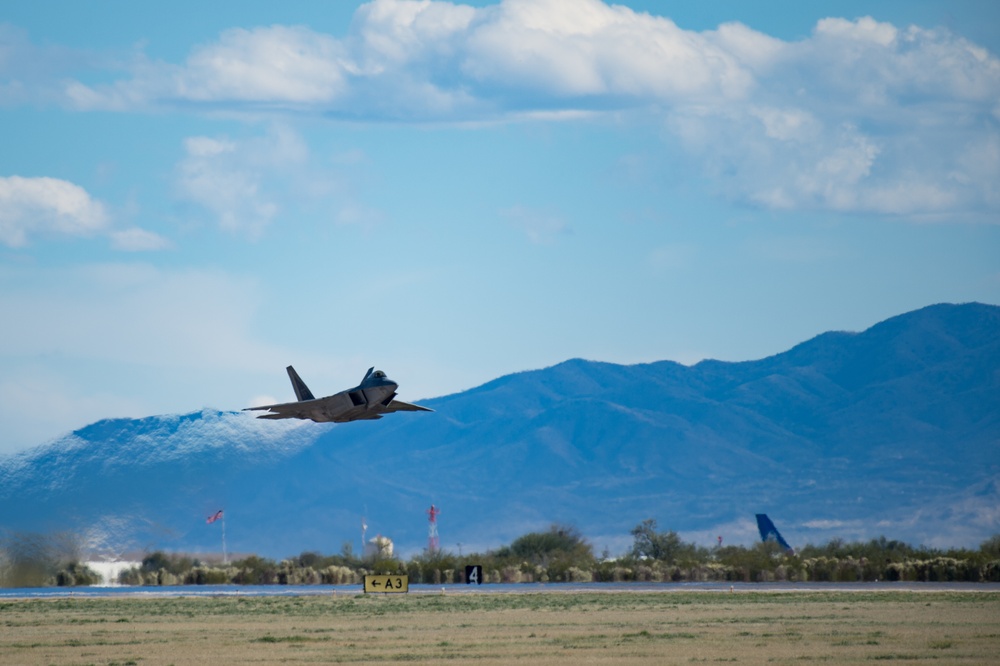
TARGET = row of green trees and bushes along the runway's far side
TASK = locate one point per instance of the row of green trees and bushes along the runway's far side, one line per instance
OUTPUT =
(559, 554)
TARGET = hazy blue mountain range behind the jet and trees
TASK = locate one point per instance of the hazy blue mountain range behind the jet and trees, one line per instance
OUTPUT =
(892, 431)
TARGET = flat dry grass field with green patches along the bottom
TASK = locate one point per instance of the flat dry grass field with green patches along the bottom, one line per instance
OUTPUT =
(542, 628)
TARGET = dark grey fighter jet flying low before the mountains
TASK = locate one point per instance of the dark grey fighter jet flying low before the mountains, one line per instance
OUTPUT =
(370, 399)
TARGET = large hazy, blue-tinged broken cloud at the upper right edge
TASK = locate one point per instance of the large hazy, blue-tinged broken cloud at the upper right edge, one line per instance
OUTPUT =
(861, 117)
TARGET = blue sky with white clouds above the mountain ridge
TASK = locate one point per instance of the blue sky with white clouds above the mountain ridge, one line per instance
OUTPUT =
(192, 197)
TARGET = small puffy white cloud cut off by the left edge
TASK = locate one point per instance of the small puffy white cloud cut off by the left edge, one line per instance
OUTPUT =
(46, 206)
